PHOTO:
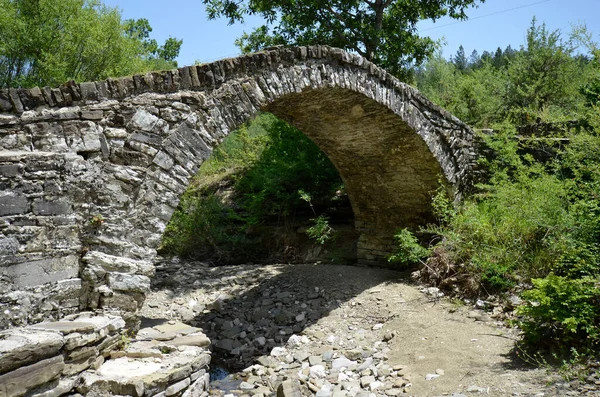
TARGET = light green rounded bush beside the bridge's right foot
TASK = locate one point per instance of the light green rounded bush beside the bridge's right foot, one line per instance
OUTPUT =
(514, 233)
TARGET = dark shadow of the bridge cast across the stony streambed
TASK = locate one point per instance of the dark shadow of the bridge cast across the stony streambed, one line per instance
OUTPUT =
(249, 309)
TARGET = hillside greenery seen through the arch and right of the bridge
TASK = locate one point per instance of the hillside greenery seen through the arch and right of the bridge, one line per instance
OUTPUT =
(533, 228)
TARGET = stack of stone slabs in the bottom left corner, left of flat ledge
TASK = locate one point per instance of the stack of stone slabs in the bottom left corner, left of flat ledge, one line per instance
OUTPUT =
(47, 359)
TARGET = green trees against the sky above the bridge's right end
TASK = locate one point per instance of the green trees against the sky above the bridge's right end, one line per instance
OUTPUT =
(544, 80)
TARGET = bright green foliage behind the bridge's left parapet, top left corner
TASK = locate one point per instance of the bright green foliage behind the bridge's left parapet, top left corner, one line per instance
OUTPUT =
(48, 42)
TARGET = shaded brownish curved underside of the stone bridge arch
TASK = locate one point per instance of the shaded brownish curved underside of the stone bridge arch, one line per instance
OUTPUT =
(387, 168)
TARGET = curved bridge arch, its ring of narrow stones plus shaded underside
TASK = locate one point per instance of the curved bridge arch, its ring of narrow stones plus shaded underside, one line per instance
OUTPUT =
(393, 147)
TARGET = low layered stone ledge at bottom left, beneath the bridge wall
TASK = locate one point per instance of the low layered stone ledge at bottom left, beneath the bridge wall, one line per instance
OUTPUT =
(92, 355)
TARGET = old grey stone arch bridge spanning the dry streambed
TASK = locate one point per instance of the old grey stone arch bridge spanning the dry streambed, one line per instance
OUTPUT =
(91, 173)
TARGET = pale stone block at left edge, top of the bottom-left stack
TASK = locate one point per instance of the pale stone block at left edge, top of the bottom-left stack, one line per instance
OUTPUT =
(20, 347)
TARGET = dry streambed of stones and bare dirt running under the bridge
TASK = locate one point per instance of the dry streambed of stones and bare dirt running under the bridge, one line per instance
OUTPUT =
(295, 321)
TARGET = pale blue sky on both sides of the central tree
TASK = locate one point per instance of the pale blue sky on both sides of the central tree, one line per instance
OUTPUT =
(496, 23)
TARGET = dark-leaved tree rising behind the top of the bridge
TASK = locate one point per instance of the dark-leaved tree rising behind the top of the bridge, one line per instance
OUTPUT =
(383, 31)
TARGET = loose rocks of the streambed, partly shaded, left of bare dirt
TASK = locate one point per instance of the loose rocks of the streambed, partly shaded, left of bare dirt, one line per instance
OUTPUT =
(265, 323)
